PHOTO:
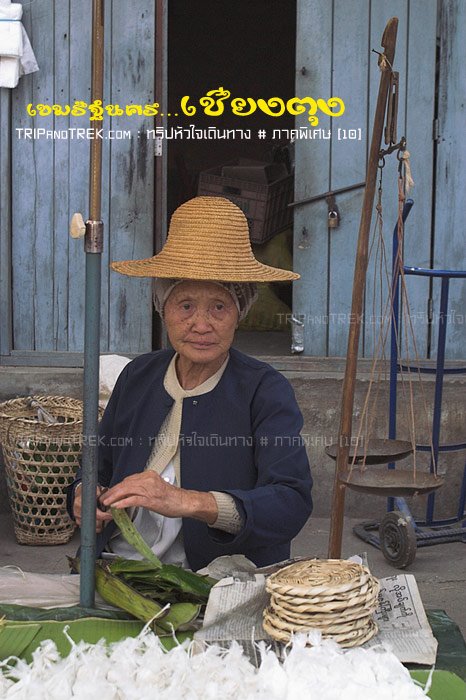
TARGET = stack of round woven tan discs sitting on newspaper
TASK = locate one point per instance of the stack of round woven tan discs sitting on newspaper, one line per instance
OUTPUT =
(334, 596)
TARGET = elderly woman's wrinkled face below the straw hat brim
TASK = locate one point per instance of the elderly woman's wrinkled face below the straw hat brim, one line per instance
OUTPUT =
(201, 318)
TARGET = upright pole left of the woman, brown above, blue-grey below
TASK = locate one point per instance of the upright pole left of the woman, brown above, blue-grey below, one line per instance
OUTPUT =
(93, 244)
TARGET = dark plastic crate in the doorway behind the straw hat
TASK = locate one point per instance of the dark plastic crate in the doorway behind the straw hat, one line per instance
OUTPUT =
(265, 206)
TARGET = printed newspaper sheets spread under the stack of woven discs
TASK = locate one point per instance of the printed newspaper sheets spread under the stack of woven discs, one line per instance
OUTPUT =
(236, 604)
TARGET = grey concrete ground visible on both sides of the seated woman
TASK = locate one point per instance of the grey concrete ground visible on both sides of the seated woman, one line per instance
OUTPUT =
(440, 570)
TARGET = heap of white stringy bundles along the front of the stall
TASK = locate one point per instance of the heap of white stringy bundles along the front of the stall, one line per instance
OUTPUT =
(140, 669)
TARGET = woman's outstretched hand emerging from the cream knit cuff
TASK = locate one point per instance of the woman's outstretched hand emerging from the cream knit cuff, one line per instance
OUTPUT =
(149, 490)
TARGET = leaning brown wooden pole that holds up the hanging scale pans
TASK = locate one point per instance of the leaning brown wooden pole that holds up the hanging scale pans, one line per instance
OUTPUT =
(359, 283)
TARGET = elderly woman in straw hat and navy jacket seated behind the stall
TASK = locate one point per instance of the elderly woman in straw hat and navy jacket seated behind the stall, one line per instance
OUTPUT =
(202, 441)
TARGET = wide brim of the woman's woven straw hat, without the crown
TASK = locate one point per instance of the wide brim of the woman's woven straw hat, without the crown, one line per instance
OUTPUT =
(163, 265)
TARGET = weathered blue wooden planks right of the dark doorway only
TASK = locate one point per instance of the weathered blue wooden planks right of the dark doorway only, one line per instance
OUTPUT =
(334, 43)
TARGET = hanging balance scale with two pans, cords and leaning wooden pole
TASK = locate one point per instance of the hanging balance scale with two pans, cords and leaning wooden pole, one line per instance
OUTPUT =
(356, 456)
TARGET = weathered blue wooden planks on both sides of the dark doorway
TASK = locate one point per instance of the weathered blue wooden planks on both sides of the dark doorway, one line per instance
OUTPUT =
(43, 182)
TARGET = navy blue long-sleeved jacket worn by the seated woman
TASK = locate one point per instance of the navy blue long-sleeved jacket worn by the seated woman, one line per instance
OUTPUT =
(242, 438)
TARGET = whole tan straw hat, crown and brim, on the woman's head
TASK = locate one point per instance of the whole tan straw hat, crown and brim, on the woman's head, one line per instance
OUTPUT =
(208, 239)
